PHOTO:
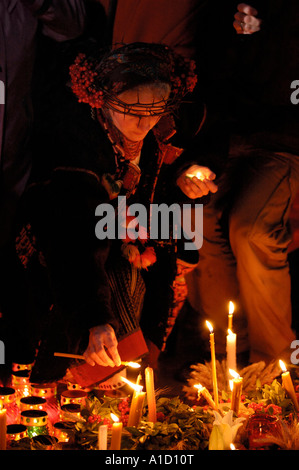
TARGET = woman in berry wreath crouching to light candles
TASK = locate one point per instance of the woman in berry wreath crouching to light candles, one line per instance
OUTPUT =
(103, 148)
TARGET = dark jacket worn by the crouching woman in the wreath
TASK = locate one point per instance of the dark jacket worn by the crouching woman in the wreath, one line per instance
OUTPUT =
(57, 233)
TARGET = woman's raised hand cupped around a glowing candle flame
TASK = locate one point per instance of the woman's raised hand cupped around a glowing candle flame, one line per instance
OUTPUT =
(197, 181)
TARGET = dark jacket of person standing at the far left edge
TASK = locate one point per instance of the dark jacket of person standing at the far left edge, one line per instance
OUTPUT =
(21, 24)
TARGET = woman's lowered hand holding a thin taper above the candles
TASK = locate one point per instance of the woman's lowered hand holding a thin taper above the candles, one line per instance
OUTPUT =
(102, 347)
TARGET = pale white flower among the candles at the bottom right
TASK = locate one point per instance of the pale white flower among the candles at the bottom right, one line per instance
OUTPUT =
(224, 431)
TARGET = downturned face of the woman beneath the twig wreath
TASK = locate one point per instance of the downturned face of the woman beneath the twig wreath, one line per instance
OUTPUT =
(136, 127)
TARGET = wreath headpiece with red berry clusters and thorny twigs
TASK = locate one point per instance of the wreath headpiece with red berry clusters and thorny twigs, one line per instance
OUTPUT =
(98, 80)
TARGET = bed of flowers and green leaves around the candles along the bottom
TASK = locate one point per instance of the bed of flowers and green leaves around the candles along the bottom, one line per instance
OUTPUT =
(267, 419)
